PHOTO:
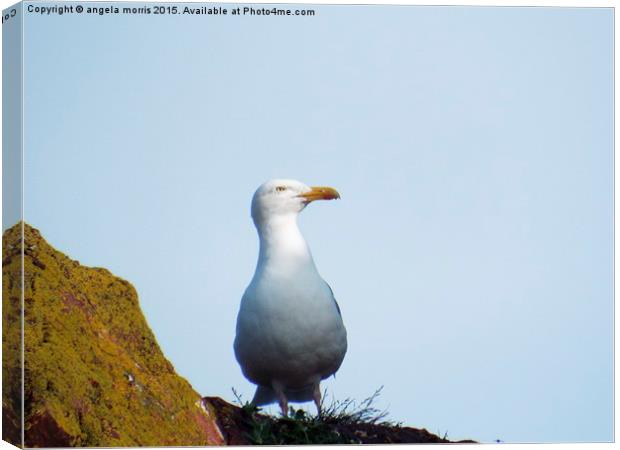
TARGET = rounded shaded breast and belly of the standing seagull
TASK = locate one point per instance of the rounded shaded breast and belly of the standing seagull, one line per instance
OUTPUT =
(289, 328)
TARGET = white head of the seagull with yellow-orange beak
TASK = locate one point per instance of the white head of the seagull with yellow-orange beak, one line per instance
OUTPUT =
(286, 197)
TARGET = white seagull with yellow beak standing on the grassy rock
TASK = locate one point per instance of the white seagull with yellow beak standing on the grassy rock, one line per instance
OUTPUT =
(290, 333)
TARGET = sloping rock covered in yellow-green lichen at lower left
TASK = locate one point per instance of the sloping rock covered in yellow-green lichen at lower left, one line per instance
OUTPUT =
(94, 373)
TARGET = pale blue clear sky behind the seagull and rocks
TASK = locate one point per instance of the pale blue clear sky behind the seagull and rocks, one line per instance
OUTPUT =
(471, 253)
